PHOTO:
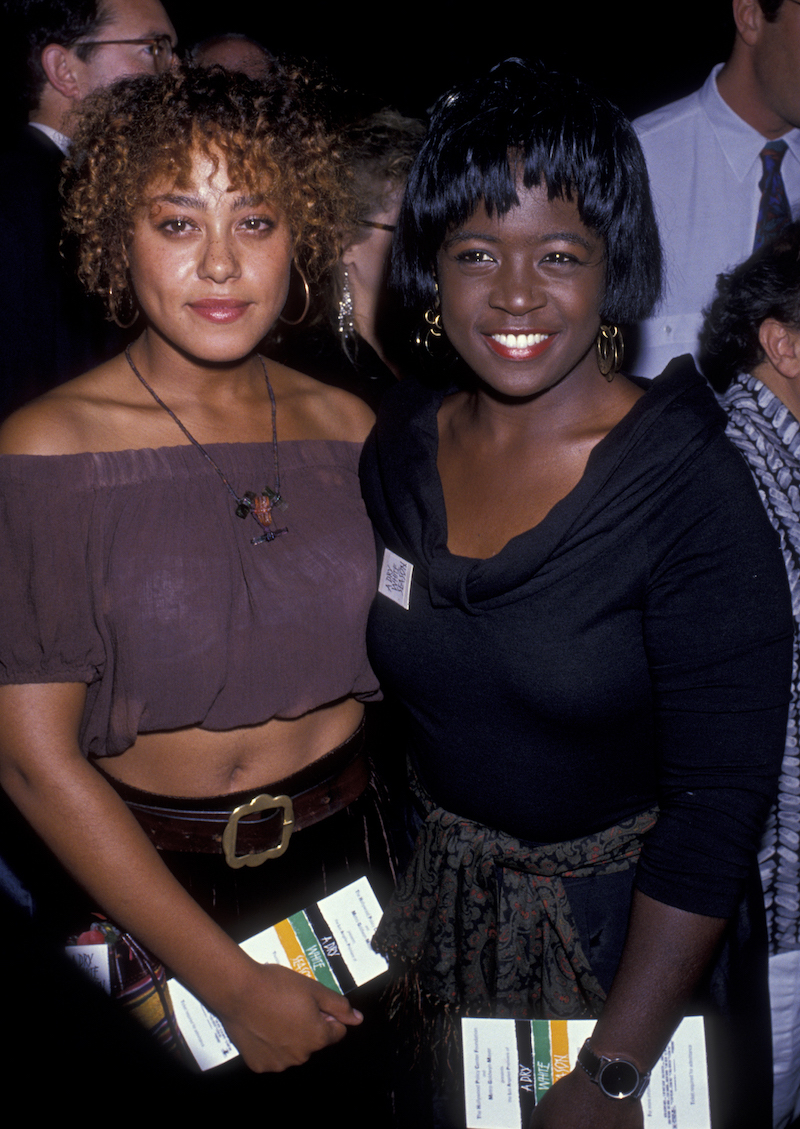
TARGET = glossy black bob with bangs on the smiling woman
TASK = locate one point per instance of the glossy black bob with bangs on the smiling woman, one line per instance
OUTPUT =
(556, 132)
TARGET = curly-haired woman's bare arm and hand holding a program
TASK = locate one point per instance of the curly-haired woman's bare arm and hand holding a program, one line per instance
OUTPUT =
(276, 1018)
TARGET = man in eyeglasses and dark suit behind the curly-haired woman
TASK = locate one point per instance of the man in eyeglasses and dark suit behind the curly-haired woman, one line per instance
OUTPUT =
(71, 48)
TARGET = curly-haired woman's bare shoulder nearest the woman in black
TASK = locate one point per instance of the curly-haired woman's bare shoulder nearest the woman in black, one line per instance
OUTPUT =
(309, 409)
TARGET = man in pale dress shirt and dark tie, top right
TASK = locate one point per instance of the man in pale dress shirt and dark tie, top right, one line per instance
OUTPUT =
(704, 155)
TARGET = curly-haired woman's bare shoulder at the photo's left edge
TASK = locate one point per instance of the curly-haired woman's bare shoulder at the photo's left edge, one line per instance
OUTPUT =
(72, 419)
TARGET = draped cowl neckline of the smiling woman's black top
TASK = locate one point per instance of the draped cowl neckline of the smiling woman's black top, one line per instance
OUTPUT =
(625, 474)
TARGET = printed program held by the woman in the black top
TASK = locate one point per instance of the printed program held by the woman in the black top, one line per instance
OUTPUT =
(509, 1064)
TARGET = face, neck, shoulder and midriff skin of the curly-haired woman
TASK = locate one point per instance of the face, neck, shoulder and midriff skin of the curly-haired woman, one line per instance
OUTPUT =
(204, 243)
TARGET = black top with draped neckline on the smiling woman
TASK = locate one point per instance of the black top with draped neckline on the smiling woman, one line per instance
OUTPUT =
(635, 649)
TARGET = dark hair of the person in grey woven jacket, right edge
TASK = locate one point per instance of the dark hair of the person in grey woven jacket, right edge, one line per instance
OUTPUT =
(767, 285)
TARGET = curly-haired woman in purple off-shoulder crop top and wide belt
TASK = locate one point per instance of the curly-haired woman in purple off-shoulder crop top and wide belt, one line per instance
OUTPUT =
(192, 625)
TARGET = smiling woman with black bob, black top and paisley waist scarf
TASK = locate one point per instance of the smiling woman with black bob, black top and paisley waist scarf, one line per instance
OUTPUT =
(583, 614)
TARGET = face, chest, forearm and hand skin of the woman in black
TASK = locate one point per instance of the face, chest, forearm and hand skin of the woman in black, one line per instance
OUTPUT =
(511, 450)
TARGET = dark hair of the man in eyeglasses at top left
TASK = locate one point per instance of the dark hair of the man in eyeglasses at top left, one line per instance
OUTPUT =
(33, 24)
